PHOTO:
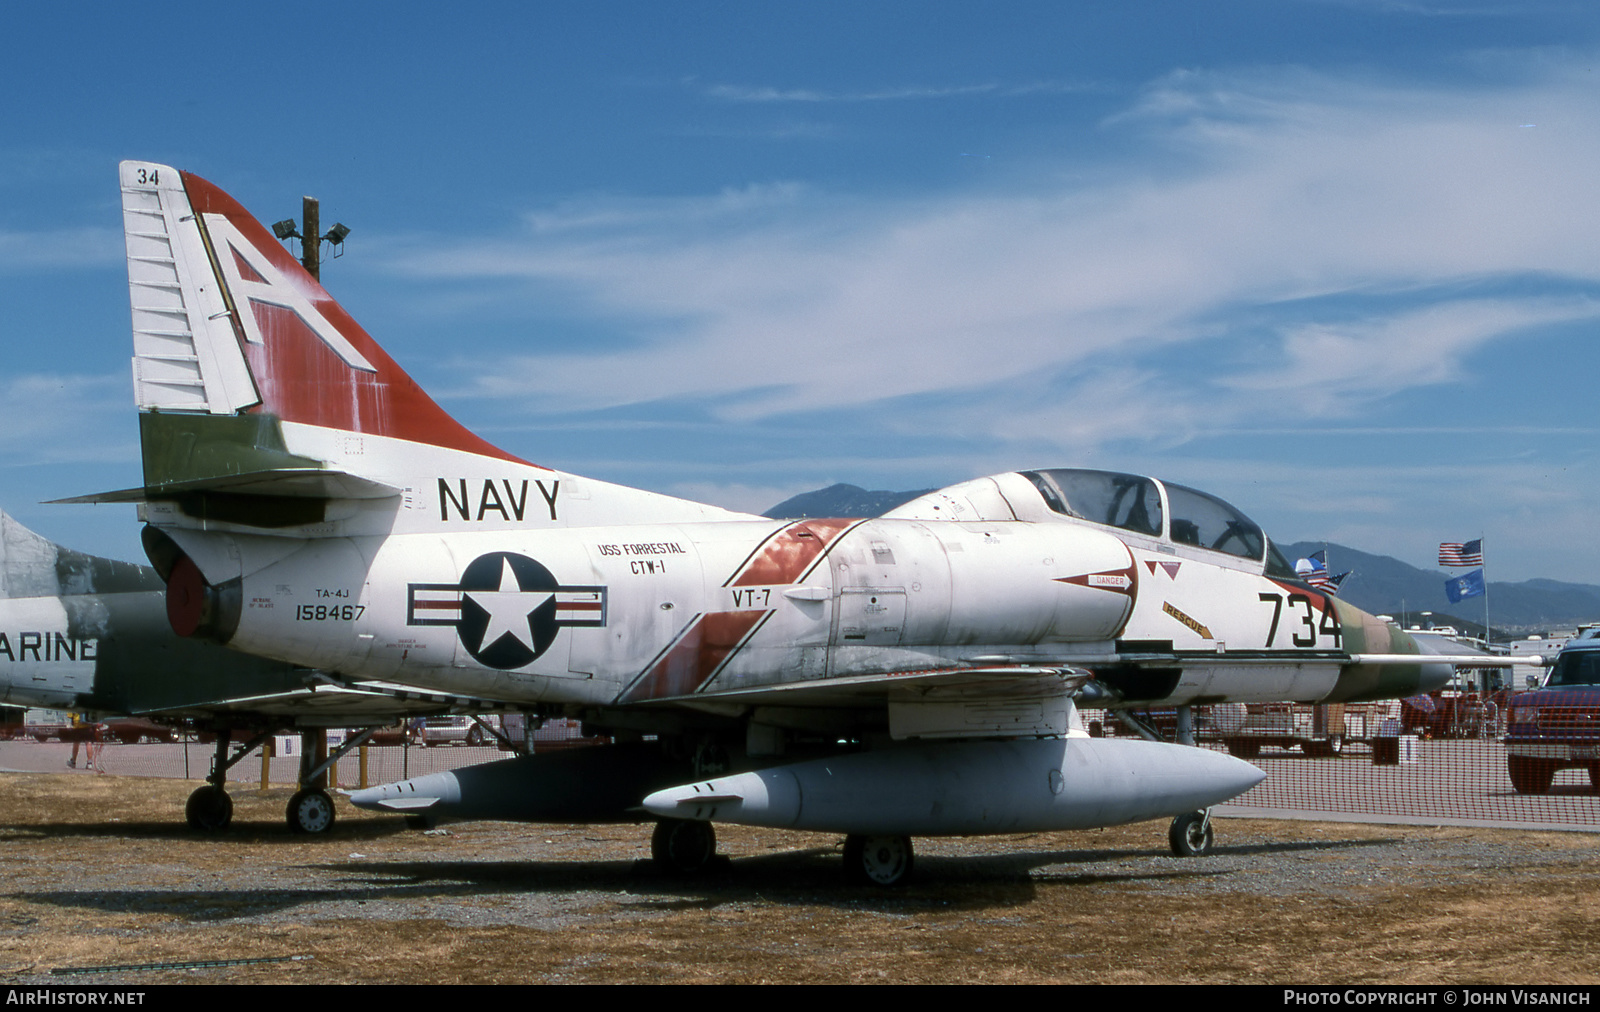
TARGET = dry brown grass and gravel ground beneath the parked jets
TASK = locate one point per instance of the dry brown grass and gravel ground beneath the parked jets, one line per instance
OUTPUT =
(102, 872)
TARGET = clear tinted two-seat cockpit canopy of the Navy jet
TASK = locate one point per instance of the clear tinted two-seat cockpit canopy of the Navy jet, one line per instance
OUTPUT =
(1158, 510)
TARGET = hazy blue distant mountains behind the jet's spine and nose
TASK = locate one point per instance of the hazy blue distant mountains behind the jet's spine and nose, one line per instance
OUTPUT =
(1378, 584)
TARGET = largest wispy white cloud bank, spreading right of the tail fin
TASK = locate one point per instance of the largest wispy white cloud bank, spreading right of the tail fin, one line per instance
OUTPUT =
(1286, 239)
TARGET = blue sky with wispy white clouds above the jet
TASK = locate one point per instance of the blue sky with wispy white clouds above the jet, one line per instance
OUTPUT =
(1335, 262)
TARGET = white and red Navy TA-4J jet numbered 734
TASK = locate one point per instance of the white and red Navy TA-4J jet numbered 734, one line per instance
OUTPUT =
(918, 673)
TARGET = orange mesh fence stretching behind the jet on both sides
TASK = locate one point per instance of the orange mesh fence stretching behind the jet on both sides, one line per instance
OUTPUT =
(1364, 761)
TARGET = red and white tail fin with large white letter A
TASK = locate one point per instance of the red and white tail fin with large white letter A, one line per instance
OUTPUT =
(234, 339)
